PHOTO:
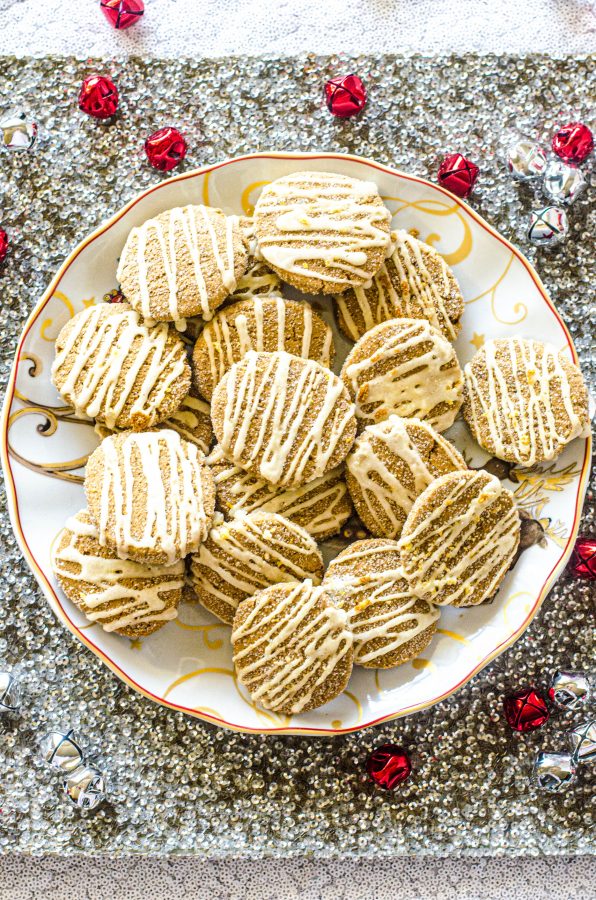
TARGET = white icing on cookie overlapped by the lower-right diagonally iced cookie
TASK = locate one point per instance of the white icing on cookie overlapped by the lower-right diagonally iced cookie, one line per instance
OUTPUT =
(381, 487)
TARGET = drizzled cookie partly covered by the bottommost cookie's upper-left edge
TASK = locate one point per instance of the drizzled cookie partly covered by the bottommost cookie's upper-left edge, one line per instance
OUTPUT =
(248, 554)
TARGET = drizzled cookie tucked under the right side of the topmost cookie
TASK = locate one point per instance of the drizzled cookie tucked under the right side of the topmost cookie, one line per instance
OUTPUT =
(414, 283)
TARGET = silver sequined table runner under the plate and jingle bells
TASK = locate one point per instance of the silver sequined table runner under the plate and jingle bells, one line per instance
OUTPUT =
(181, 786)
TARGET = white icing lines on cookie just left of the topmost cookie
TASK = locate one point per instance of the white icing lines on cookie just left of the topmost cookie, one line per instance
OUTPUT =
(191, 226)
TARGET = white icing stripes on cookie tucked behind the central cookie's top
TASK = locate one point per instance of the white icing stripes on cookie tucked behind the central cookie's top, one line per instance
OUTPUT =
(229, 337)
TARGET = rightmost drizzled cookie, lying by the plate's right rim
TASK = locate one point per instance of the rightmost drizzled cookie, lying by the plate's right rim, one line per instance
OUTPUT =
(524, 400)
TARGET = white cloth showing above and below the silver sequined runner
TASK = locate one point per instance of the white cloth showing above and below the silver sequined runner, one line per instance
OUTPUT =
(217, 27)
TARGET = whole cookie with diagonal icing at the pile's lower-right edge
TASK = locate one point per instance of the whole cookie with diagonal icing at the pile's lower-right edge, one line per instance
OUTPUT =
(460, 538)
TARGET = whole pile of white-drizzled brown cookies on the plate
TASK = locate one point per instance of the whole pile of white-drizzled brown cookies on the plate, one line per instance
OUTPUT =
(236, 526)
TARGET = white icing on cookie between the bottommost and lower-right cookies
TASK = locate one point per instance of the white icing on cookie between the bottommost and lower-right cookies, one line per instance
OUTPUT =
(379, 604)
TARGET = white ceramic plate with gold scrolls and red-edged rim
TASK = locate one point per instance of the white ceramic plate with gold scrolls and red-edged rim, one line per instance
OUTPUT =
(188, 664)
